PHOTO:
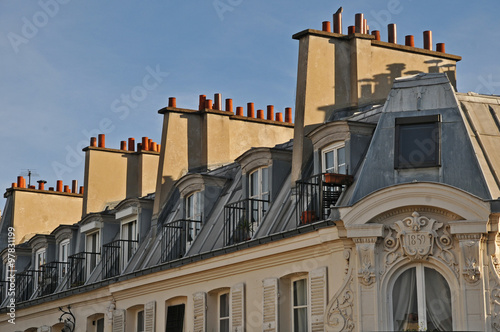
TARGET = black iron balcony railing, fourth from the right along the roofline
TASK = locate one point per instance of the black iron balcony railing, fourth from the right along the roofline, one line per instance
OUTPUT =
(116, 255)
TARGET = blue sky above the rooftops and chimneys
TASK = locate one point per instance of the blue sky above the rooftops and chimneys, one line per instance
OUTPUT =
(67, 66)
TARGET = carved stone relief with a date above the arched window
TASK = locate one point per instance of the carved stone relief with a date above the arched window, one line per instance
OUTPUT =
(416, 238)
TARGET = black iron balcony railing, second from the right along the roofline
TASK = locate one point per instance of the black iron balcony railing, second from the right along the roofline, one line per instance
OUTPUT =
(242, 219)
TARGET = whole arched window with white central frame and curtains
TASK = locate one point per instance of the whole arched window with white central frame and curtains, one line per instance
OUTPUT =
(421, 300)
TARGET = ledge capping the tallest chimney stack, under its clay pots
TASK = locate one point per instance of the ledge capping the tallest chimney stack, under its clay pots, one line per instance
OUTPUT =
(378, 43)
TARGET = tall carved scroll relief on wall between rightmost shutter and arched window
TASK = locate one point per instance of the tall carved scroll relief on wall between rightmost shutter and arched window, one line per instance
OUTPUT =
(339, 316)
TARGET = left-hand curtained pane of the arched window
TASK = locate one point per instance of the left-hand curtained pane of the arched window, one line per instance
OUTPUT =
(404, 301)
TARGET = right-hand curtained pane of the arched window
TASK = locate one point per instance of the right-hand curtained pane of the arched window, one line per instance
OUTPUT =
(437, 301)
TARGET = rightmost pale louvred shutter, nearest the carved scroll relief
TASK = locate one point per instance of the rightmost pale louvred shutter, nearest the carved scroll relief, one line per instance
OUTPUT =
(318, 284)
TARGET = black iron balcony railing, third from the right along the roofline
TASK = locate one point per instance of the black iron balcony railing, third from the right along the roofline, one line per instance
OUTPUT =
(177, 237)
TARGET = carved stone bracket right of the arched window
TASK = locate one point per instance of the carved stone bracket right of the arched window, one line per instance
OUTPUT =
(470, 244)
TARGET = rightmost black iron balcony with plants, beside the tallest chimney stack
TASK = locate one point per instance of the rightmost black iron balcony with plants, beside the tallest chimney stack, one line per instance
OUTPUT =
(317, 194)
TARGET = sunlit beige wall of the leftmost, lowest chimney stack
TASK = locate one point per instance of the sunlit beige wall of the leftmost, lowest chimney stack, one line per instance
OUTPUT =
(40, 212)
